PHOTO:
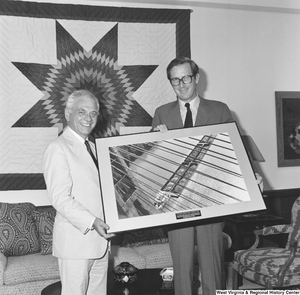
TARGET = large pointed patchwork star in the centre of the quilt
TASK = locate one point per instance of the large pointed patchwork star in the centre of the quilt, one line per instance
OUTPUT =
(97, 71)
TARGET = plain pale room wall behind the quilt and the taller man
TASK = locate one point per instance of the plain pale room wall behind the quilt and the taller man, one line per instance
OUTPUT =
(246, 53)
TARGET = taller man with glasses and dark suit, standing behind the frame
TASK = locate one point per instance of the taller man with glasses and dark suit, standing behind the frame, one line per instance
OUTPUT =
(191, 110)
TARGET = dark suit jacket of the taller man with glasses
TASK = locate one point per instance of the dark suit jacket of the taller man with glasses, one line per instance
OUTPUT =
(209, 112)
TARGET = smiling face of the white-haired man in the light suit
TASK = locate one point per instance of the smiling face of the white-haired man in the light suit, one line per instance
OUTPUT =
(82, 118)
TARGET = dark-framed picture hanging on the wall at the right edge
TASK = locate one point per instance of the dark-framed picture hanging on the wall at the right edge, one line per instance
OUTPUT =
(288, 128)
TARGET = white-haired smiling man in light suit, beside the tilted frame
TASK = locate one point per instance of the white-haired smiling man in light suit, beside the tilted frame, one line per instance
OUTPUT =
(79, 235)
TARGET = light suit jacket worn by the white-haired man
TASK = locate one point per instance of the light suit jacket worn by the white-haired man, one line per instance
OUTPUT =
(73, 186)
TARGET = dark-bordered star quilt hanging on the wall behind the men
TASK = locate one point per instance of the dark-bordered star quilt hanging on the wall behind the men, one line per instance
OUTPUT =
(50, 50)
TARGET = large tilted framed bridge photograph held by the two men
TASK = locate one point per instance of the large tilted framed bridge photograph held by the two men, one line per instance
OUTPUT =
(154, 178)
